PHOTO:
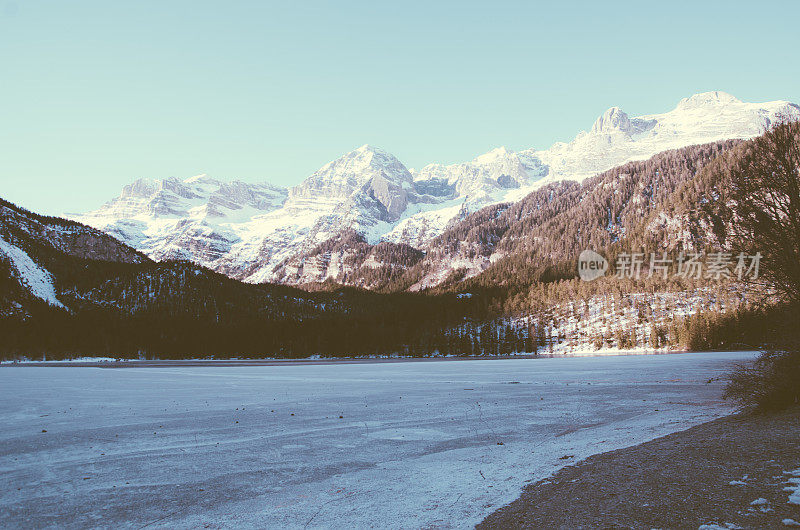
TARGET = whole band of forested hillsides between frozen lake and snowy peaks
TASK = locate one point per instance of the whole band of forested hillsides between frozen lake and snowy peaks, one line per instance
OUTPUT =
(501, 280)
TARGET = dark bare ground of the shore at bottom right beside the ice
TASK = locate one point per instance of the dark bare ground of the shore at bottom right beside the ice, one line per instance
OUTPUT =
(709, 474)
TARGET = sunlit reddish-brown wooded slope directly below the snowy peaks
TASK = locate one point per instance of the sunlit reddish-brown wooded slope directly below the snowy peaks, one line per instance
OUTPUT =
(664, 203)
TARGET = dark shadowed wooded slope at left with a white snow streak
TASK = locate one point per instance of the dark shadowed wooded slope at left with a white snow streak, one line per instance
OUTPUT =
(58, 302)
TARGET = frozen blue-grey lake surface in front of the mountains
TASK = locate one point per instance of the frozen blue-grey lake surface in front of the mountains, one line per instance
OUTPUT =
(387, 445)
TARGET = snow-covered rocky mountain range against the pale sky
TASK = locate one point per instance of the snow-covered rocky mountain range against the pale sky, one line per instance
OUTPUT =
(252, 231)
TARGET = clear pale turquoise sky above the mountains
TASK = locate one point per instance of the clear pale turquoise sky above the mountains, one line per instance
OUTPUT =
(94, 94)
